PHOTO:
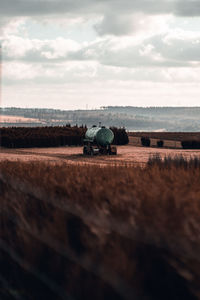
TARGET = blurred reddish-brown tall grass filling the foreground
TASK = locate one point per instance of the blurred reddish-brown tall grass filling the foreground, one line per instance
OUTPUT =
(89, 232)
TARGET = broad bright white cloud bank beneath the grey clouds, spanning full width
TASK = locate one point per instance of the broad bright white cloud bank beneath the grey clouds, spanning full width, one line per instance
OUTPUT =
(160, 47)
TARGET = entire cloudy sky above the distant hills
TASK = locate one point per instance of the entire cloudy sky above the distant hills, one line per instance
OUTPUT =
(72, 54)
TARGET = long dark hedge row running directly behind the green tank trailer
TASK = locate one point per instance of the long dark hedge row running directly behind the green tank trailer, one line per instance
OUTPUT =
(28, 137)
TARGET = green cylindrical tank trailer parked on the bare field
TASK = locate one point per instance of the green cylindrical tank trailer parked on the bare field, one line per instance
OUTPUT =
(98, 140)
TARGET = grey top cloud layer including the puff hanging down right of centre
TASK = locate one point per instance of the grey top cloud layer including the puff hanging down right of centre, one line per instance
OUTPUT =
(118, 17)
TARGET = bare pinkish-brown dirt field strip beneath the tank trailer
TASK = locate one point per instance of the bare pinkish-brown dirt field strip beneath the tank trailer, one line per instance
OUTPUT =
(129, 154)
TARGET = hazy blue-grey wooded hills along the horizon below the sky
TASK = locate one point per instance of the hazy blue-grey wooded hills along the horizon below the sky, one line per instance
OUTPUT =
(132, 118)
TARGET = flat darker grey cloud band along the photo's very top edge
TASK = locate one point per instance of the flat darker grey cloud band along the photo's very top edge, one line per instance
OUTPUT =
(41, 7)
